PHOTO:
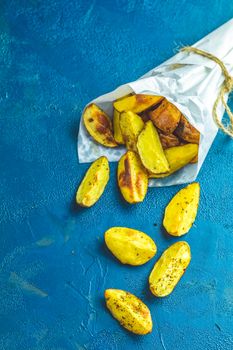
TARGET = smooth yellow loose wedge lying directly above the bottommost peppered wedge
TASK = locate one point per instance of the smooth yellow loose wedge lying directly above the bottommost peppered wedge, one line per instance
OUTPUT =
(130, 246)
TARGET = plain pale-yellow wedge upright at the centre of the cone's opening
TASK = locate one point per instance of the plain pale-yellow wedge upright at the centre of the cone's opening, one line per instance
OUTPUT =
(150, 150)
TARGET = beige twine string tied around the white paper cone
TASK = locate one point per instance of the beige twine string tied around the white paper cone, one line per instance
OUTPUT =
(226, 87)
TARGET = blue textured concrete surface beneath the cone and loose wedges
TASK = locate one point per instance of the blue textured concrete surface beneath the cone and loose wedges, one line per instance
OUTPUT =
(55, 56)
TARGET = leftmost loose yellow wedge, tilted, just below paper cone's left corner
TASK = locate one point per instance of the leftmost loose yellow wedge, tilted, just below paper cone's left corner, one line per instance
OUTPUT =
(93, 183)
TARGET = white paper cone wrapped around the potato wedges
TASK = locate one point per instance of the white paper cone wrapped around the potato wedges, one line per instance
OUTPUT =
(189, 81)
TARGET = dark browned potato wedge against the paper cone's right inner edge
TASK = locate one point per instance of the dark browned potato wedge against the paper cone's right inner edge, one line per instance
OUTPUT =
(186, 131)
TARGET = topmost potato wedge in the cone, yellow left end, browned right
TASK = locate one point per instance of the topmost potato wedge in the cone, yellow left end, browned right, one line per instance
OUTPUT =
(136, 103)
